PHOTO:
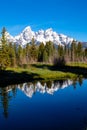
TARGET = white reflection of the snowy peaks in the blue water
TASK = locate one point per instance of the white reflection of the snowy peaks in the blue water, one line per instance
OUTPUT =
(44, 87)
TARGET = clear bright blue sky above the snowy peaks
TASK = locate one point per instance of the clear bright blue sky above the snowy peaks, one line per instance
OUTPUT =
(64, 16)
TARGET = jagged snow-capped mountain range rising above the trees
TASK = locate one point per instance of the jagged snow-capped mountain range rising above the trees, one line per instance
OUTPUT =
(41, 36)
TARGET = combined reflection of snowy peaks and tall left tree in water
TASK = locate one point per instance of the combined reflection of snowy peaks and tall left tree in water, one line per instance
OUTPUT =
(29, 89)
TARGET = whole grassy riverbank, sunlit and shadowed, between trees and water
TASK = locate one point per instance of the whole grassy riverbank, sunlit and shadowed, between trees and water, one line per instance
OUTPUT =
(40, 72)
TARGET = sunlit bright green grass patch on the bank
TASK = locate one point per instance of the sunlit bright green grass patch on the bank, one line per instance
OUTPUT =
(43, 72)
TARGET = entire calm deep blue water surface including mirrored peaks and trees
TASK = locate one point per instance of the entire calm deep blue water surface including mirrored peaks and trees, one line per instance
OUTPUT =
(53, 105)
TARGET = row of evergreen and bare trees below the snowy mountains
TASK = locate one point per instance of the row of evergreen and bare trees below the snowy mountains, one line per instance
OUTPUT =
(12, 55)
